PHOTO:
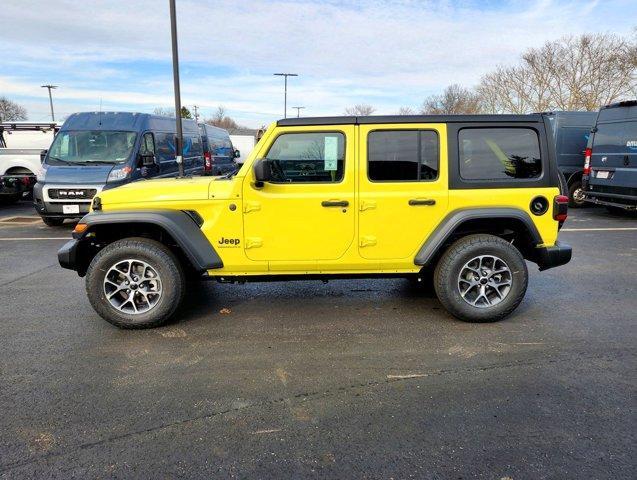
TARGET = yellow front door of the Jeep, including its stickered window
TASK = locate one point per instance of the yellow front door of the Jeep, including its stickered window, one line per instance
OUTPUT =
(306, 213)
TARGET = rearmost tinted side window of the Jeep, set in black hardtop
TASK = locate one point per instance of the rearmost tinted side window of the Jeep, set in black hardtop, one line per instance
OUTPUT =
(499, 153)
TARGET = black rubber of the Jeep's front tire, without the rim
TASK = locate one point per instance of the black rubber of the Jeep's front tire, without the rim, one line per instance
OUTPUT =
(156, 255)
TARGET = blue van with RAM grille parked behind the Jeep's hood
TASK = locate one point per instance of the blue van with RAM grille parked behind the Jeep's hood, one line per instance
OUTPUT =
(100, 150)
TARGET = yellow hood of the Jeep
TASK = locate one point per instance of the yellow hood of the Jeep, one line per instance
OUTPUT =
(159, 190)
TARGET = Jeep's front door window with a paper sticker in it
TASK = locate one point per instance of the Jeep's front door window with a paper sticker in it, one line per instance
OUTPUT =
(307, 157)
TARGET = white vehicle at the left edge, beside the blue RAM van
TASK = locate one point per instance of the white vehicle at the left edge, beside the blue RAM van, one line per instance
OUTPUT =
(21, 147)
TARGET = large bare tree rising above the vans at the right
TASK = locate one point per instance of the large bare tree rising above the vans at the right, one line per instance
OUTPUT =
(573, 73)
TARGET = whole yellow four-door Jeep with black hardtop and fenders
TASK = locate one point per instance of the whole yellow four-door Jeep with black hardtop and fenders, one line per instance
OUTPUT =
(464, 200)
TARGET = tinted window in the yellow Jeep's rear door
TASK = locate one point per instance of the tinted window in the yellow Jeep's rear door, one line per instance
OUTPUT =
(402, 155)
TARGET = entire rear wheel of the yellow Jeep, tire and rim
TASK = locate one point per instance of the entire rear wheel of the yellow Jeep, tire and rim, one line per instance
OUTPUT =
(481, 278)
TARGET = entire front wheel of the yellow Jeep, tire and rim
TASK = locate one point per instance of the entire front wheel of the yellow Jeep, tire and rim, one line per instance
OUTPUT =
(135, 283)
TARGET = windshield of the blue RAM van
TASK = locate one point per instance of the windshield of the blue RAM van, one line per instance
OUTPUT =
(91, 146)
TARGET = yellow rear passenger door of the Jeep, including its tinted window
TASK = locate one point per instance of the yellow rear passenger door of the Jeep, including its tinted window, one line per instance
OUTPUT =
(403, 188)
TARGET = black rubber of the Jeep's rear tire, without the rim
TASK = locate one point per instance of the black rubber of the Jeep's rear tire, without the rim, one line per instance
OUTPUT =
(452, 263)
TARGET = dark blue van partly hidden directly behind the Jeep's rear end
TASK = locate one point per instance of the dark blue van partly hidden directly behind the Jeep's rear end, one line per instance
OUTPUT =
(571, 131)
